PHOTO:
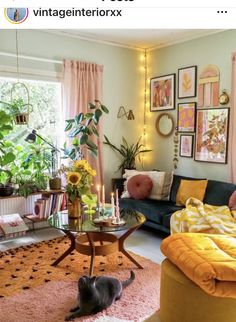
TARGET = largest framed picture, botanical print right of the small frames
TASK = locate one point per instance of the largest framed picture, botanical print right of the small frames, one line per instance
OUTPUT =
(212, 135)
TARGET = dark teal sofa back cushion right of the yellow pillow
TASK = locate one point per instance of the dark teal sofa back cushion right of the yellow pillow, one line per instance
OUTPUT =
(218, 192)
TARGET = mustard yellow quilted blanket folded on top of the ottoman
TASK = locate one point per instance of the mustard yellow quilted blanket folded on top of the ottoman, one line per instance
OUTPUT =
(208, 260)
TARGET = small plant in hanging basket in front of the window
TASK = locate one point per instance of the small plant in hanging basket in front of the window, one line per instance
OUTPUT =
(19, 110)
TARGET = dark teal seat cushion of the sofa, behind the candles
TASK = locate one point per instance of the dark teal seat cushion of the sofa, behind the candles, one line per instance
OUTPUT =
(152, 209)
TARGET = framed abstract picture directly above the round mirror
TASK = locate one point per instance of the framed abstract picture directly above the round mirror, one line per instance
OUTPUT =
(162, 91)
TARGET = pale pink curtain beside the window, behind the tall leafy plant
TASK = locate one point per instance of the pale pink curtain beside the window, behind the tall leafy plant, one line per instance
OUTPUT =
(82, 83)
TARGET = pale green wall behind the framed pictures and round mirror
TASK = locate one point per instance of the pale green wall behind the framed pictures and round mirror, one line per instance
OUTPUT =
(215, 49)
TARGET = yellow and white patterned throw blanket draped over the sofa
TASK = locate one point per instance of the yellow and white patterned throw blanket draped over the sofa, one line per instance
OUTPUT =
(199, 217)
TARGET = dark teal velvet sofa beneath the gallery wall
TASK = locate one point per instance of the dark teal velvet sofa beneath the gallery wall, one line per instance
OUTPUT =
(158, 213)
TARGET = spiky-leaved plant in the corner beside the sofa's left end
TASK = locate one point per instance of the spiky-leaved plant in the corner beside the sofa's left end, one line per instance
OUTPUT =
(128, 152)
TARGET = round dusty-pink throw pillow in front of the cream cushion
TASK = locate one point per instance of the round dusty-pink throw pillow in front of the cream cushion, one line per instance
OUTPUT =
(139, 186)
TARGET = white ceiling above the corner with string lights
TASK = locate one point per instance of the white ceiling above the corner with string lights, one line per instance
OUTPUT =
(138, 38)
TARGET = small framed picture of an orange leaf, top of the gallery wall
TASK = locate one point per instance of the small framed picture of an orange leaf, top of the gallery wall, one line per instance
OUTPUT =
(187, 82)
